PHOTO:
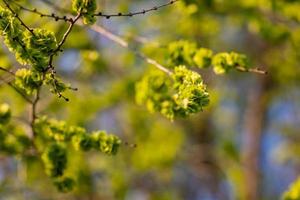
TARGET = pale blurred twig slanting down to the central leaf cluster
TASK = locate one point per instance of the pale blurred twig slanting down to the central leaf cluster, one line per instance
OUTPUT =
(117, 39)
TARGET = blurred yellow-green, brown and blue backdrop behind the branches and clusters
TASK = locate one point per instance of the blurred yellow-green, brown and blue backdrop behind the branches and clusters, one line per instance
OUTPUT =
(245, 145)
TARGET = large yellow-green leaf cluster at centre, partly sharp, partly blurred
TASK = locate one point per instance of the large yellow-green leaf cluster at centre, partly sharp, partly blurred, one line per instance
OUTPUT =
(181, 94)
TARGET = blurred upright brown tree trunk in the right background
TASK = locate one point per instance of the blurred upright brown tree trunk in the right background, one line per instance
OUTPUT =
(253, 129)
